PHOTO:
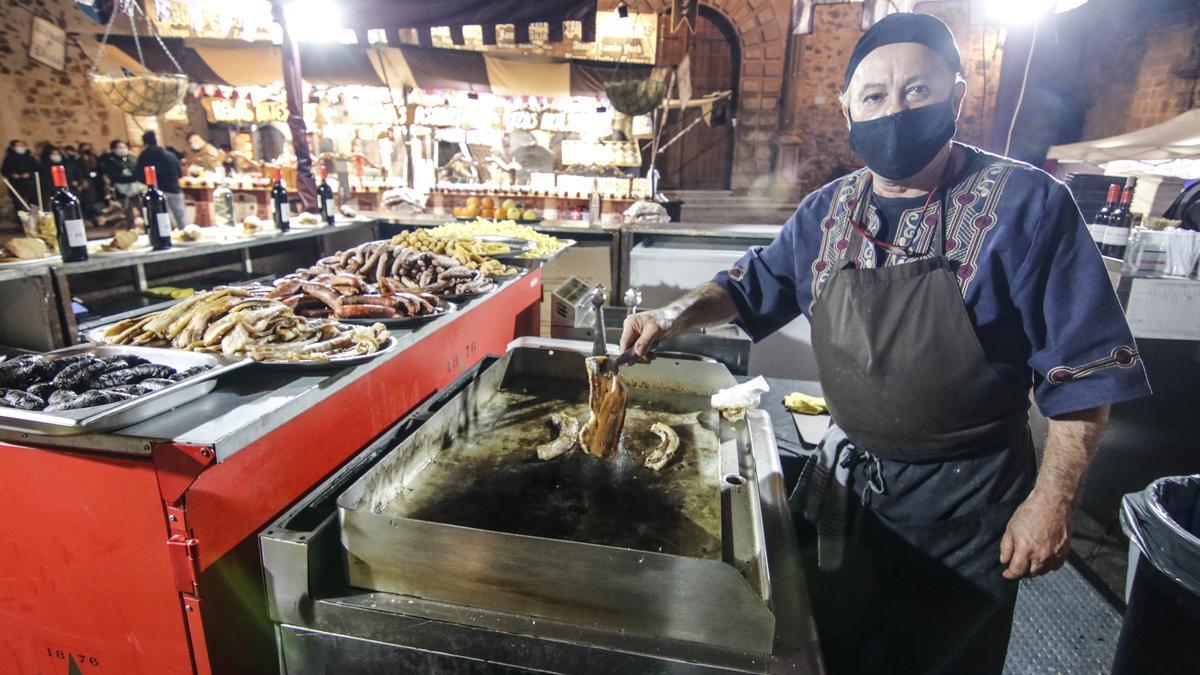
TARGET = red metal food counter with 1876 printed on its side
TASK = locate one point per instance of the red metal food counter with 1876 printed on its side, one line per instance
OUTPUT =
(136, 551)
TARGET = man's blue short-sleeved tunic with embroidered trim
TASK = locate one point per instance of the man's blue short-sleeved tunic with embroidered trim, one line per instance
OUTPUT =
(1033, 282)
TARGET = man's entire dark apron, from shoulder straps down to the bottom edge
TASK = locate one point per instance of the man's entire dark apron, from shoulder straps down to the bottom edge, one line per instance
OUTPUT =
(907, 379)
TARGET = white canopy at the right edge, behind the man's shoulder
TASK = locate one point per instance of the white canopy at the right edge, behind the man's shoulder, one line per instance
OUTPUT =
(1178, 139)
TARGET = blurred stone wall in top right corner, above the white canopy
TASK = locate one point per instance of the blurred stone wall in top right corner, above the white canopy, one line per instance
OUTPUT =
(1143, 67)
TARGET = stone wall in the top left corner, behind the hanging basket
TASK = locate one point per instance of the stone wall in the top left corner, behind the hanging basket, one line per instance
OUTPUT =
(41, 104)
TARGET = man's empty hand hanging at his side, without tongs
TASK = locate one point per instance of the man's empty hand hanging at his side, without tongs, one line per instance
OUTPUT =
(1039, 536)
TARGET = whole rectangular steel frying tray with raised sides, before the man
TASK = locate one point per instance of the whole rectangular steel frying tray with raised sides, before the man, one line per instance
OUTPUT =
(454, 513)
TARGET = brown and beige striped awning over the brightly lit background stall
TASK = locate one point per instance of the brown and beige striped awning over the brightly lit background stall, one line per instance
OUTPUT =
(421, 68)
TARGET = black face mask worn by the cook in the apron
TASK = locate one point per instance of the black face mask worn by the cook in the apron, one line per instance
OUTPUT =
(899, 146)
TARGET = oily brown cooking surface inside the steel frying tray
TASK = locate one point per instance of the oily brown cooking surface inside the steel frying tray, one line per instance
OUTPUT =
(490, 479)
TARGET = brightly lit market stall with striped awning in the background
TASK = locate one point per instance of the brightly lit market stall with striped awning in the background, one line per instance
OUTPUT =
(513, 115)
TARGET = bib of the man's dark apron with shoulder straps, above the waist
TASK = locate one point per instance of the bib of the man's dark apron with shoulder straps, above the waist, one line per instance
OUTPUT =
(901, 365)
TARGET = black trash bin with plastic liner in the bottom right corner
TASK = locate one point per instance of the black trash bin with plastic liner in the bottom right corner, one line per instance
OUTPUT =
(1161, 632)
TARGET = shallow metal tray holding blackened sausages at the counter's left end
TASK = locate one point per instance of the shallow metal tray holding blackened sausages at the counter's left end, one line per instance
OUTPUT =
(116, 416)
